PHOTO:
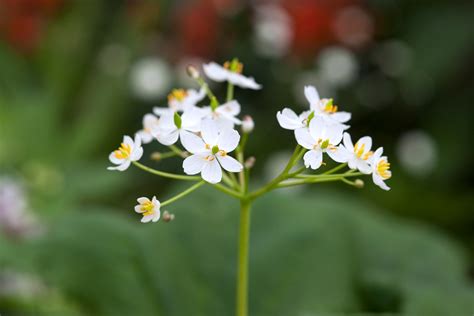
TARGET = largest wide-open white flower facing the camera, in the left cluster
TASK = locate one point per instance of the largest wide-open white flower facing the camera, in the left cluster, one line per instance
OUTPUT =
(210, 153)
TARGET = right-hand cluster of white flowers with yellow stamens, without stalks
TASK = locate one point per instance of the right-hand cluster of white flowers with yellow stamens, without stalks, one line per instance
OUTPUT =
(322, 128)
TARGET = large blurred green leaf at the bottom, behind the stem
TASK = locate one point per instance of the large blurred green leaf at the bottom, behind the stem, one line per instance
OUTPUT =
(324, 254)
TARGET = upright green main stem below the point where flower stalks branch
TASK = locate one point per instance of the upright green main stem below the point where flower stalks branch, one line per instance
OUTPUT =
(243, 259)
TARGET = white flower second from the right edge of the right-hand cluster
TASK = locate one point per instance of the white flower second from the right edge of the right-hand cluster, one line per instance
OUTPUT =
(357, 156)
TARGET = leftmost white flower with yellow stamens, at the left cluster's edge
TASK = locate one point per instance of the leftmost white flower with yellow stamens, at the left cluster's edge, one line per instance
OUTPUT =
(128, 151)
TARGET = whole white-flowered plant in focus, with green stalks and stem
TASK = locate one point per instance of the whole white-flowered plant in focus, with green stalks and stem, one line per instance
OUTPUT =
(209, 135)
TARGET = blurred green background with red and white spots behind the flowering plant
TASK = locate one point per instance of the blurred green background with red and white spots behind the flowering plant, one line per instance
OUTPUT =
(77, 75)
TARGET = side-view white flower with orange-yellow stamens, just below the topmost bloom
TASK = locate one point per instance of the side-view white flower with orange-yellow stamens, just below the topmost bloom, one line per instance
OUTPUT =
(180, 100)
